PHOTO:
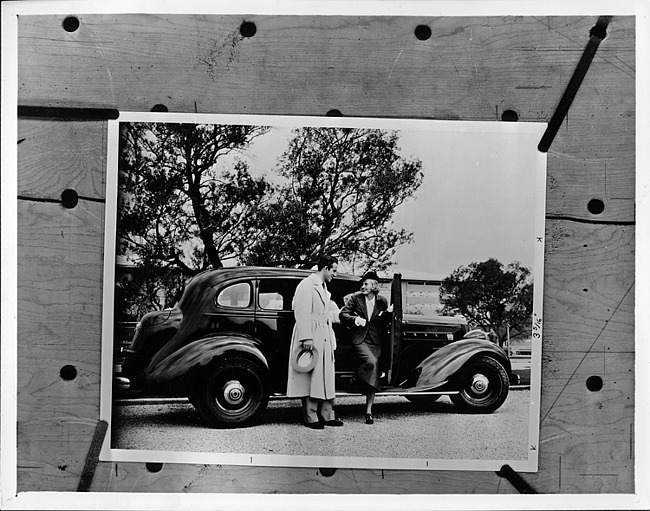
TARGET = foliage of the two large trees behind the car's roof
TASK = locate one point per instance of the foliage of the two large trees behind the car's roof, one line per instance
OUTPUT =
(178, 215)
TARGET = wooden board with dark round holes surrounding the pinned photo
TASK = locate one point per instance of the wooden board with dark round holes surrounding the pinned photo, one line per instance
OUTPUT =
(471, 68)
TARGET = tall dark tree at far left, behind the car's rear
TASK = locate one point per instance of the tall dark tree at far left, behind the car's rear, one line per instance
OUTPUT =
(177, 214)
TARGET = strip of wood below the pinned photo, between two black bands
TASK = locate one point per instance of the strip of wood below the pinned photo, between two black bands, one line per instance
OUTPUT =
(230, 479)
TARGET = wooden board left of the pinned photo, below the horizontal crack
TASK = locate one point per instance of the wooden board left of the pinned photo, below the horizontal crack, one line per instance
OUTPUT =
(59, 311)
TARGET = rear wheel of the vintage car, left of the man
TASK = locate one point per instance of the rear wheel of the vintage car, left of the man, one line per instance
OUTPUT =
(232, 393)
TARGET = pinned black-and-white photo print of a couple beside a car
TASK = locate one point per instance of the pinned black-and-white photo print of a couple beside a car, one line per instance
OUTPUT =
(324, 292)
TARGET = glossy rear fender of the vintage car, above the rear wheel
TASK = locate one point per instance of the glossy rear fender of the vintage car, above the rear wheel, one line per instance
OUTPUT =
(200, 353)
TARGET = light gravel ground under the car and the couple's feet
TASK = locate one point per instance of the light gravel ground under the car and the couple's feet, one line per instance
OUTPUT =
(400, 430)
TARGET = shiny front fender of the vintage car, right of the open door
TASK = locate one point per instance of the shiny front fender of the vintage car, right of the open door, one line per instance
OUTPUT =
(443, 364)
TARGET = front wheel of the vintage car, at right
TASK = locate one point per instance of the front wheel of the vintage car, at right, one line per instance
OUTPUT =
(484, 386)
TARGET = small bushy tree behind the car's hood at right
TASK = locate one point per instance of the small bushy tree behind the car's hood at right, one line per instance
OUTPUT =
(491, 297)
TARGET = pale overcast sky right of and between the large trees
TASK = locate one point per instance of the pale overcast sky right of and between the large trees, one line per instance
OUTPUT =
(477, 199)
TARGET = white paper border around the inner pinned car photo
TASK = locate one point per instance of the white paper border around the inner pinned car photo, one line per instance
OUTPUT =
(534, 130)
